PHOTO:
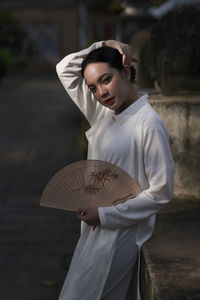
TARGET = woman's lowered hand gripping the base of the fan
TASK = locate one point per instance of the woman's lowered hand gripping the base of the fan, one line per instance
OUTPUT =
(89, 216)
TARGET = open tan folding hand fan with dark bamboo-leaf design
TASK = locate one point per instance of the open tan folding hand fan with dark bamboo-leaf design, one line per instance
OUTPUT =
(89, 183)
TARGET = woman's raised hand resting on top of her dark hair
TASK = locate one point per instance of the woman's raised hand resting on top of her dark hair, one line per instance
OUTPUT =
(125, 50)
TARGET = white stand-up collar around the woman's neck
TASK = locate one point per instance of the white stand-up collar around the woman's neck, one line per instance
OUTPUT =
(131, 109)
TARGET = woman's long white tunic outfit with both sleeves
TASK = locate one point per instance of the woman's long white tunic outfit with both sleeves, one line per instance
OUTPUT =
(137, 141)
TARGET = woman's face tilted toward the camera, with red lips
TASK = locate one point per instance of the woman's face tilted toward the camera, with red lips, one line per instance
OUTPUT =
(109, 86)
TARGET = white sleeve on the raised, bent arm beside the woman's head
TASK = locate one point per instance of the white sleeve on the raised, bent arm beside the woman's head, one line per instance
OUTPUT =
(69, 73)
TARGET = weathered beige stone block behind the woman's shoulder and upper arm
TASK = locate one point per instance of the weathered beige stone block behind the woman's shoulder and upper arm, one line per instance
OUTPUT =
(181, 115)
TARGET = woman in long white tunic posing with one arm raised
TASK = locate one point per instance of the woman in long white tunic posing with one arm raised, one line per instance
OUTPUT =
(125, 131)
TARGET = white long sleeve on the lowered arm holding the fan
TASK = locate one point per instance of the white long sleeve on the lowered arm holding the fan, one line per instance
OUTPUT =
(159, 170)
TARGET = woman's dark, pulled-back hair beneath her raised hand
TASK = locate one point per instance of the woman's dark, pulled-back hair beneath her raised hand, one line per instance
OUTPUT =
(106, 55)
